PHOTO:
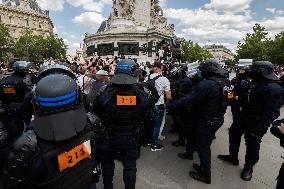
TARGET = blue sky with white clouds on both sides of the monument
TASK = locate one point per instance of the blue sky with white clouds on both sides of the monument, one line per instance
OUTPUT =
(203, 21)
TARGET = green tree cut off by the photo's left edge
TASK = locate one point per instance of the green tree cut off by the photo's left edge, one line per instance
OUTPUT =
(6, 41)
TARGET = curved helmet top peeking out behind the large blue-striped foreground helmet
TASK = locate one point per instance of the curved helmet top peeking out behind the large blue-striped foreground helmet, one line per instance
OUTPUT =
(52, 69)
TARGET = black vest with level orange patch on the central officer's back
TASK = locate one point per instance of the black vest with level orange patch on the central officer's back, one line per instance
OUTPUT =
(123, 111)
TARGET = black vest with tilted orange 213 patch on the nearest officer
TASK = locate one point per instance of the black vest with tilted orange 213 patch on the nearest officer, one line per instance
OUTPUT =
(77, 170)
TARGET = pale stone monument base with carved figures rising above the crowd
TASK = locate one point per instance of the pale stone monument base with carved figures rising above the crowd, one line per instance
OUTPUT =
(133, 29)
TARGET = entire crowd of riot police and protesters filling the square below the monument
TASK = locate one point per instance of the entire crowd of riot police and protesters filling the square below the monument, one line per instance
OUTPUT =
(63, 124)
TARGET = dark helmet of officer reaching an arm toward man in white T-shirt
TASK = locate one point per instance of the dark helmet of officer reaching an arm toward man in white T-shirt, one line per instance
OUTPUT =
(213, 67)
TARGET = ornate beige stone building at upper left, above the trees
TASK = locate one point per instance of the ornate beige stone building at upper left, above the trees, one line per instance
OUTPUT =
(19, 15)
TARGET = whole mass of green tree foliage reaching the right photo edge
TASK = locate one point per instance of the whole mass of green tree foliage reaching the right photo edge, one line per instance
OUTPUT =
(258, 46)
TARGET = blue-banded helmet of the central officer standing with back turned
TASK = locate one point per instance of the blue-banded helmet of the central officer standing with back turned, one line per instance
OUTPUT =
(126, 72)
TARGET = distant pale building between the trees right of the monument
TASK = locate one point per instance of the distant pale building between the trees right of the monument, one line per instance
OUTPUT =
(220, 52)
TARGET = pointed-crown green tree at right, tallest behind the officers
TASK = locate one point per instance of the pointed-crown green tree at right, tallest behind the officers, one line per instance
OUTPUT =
(256, 45)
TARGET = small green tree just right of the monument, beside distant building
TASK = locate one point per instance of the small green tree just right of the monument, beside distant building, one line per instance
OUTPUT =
(193, 52)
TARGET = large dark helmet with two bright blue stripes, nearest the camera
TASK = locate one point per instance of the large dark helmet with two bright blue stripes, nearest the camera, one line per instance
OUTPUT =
(59, 113)
